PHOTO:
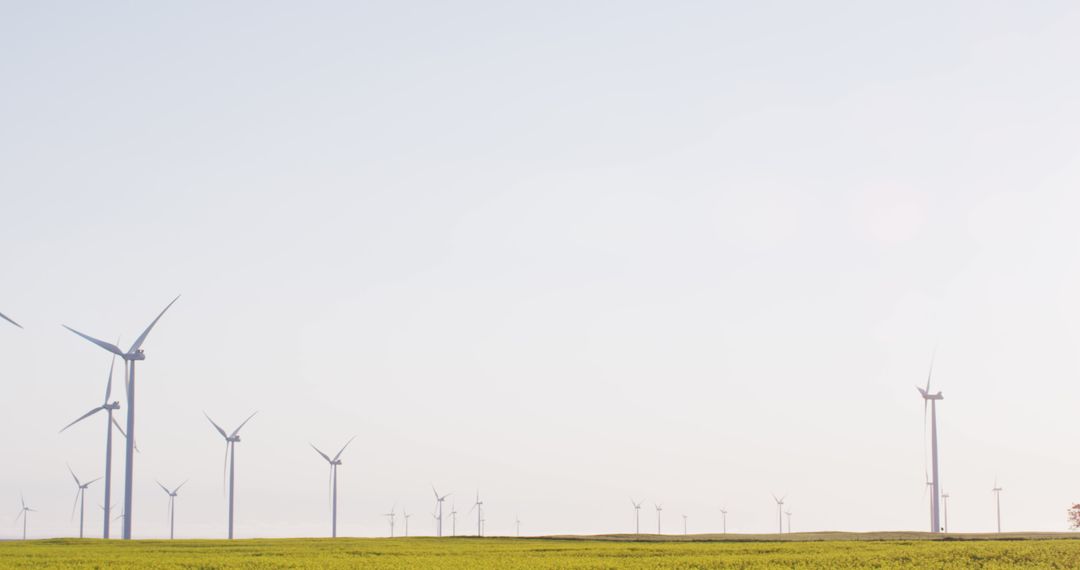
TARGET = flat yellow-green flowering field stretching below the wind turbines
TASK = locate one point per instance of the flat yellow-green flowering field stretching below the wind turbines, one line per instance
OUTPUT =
(541, 553)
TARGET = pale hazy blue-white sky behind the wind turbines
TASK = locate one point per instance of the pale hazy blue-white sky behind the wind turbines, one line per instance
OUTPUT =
(565, 254)
